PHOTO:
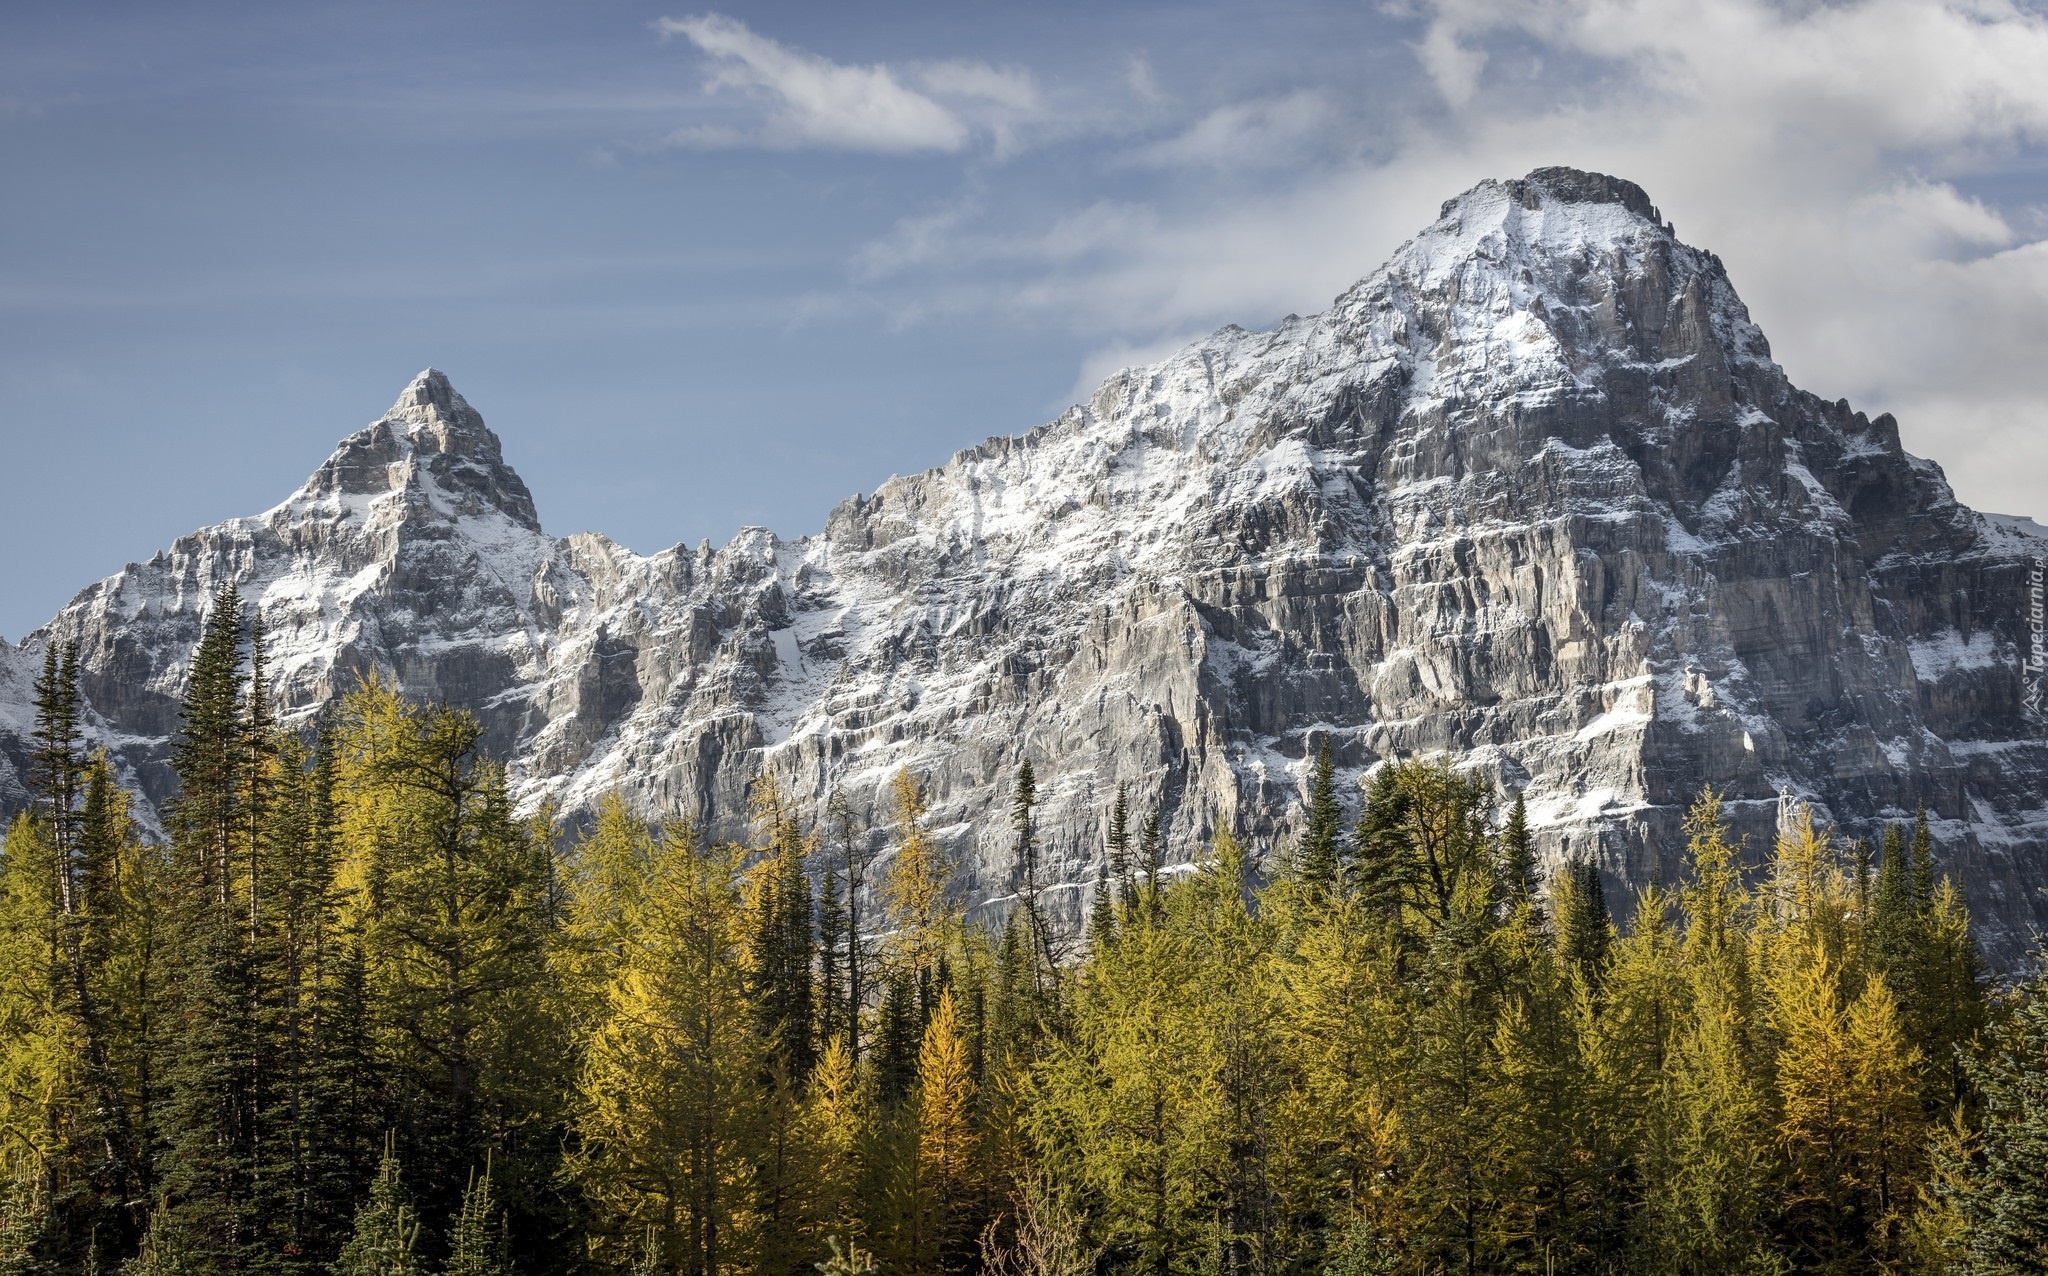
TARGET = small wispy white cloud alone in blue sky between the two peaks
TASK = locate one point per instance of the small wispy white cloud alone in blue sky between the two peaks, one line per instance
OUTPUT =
(816, 103)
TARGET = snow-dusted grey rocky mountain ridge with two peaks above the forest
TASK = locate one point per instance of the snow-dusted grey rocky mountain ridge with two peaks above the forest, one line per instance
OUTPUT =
(1533, 495)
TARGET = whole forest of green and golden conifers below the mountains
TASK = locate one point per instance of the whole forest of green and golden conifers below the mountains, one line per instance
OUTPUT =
(357, 1015)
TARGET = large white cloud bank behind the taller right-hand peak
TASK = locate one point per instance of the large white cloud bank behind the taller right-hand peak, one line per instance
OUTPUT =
(1824, 151)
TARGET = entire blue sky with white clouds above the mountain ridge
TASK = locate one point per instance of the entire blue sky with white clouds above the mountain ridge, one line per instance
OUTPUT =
(718, 267)
